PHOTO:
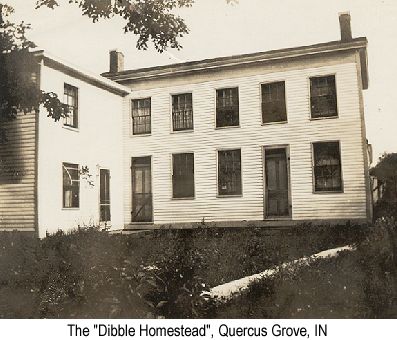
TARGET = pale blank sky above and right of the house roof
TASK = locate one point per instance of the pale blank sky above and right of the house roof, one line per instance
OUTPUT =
(220, 29)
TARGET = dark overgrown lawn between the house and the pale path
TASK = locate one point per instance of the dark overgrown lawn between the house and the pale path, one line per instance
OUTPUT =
(91, 274)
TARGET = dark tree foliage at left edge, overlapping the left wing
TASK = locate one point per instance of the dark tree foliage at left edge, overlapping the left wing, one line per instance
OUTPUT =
(19, 88)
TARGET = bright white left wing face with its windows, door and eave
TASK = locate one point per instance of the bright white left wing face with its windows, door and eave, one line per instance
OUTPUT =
(80, 157)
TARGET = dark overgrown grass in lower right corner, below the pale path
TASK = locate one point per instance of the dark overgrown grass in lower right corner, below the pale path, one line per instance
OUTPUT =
(358, 284)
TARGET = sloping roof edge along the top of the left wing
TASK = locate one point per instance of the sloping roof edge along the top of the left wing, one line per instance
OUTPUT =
(75, 71)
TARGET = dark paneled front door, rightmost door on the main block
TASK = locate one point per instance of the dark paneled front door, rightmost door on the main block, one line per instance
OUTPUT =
(277, 183)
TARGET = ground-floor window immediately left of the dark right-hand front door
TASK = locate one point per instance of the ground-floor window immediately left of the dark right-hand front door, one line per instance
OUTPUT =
(229, 172)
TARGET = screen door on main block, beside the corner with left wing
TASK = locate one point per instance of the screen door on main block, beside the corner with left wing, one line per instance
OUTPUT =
(142, 204)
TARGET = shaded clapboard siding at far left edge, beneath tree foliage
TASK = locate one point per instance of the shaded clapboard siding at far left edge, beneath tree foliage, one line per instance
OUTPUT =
(17, 195)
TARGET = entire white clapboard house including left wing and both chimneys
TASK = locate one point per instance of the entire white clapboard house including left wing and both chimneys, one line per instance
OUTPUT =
(269, 138)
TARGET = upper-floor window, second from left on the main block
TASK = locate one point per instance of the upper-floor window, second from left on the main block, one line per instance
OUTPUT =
(182, 112)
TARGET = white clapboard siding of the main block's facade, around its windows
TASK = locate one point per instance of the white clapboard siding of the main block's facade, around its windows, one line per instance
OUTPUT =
(251, 136)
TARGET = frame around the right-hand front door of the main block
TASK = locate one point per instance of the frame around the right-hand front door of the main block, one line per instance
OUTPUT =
(286, 147)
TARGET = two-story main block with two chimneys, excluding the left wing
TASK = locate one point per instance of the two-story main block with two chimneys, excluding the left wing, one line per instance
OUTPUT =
(277, 136)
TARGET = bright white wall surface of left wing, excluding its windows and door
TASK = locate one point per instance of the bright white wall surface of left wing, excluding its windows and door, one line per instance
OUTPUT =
(97, 143)
